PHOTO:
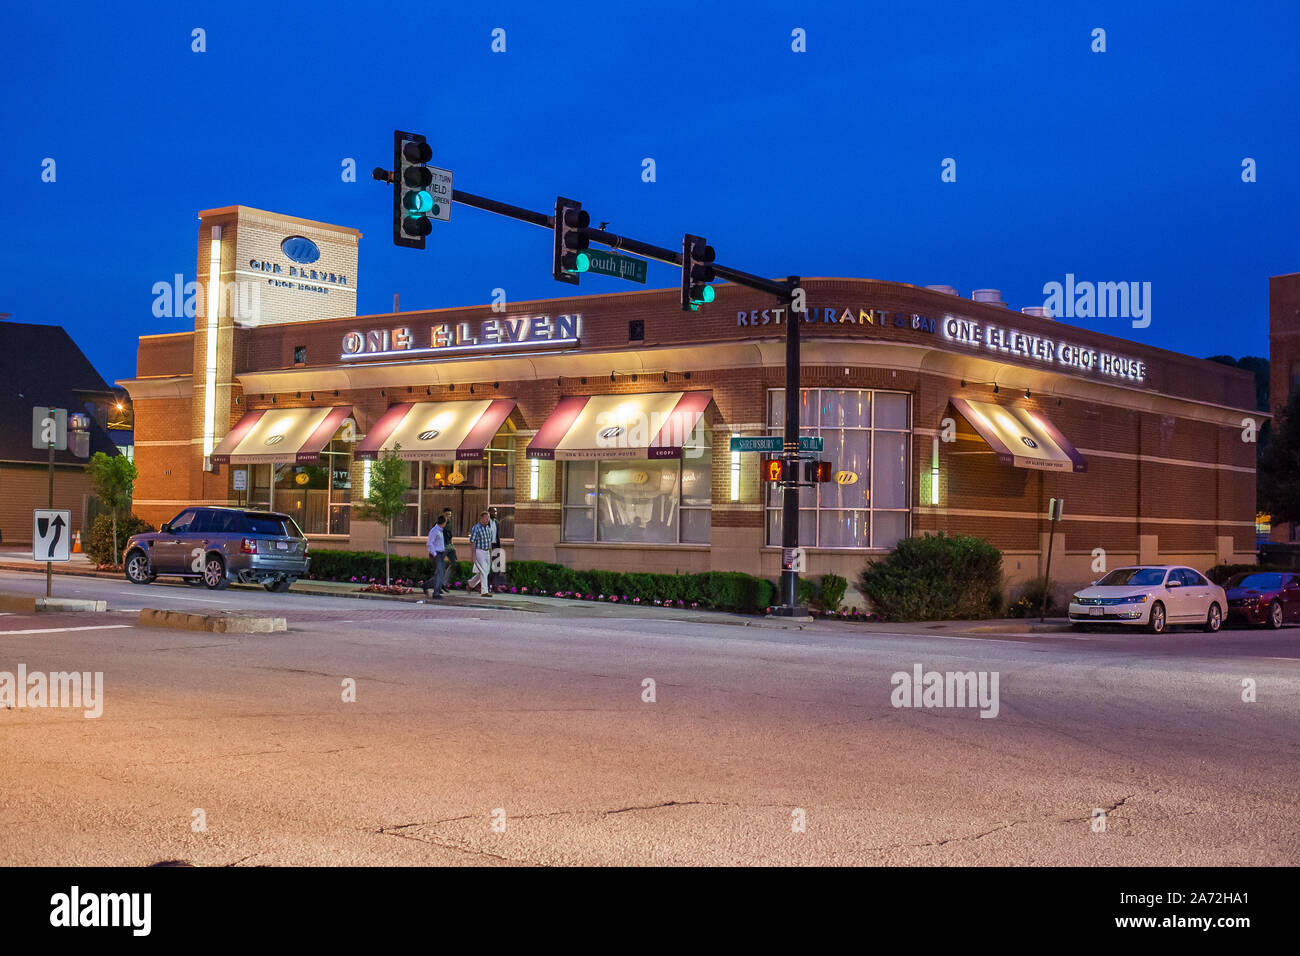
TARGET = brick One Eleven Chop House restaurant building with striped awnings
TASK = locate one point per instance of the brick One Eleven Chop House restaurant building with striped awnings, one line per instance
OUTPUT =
(600, 426)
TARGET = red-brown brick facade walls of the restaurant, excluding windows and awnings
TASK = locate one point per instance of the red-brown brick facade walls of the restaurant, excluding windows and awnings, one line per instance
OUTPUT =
(1180, 482)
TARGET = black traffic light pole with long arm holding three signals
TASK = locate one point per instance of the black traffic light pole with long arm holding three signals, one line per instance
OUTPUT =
(783, 291)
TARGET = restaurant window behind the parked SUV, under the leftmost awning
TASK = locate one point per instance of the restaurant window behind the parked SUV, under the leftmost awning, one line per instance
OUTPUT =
(318, 496)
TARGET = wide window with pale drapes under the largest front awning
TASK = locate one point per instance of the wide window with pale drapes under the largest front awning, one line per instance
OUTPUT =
(665, 501)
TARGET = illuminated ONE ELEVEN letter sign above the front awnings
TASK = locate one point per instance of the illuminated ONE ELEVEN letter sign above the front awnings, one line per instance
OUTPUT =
(517, 332)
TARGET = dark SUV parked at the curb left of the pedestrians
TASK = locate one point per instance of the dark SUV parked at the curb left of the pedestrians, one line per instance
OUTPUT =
(218, 546)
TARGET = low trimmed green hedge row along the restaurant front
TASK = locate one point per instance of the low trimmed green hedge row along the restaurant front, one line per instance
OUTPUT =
(729, 591)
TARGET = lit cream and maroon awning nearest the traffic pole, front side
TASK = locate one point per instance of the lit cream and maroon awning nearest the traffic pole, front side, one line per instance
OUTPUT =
(655, 425)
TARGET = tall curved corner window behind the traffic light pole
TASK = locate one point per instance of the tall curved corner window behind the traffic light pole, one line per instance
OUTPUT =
(868, 438)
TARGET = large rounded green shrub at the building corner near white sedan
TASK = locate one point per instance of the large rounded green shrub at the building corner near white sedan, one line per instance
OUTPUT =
(937, 578)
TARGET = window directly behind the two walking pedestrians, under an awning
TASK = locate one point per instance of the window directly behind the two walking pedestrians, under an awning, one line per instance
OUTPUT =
(467, 487)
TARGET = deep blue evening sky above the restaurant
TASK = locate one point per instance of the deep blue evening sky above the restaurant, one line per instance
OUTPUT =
(1124, 166)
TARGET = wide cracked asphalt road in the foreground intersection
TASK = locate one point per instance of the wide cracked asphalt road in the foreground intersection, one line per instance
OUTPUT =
(489, 736)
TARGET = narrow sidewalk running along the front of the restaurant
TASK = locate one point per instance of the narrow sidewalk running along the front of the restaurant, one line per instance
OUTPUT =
(536, 604)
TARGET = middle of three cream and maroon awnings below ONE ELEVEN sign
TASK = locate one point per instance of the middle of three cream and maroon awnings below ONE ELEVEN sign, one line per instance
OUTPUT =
(437, 431)
